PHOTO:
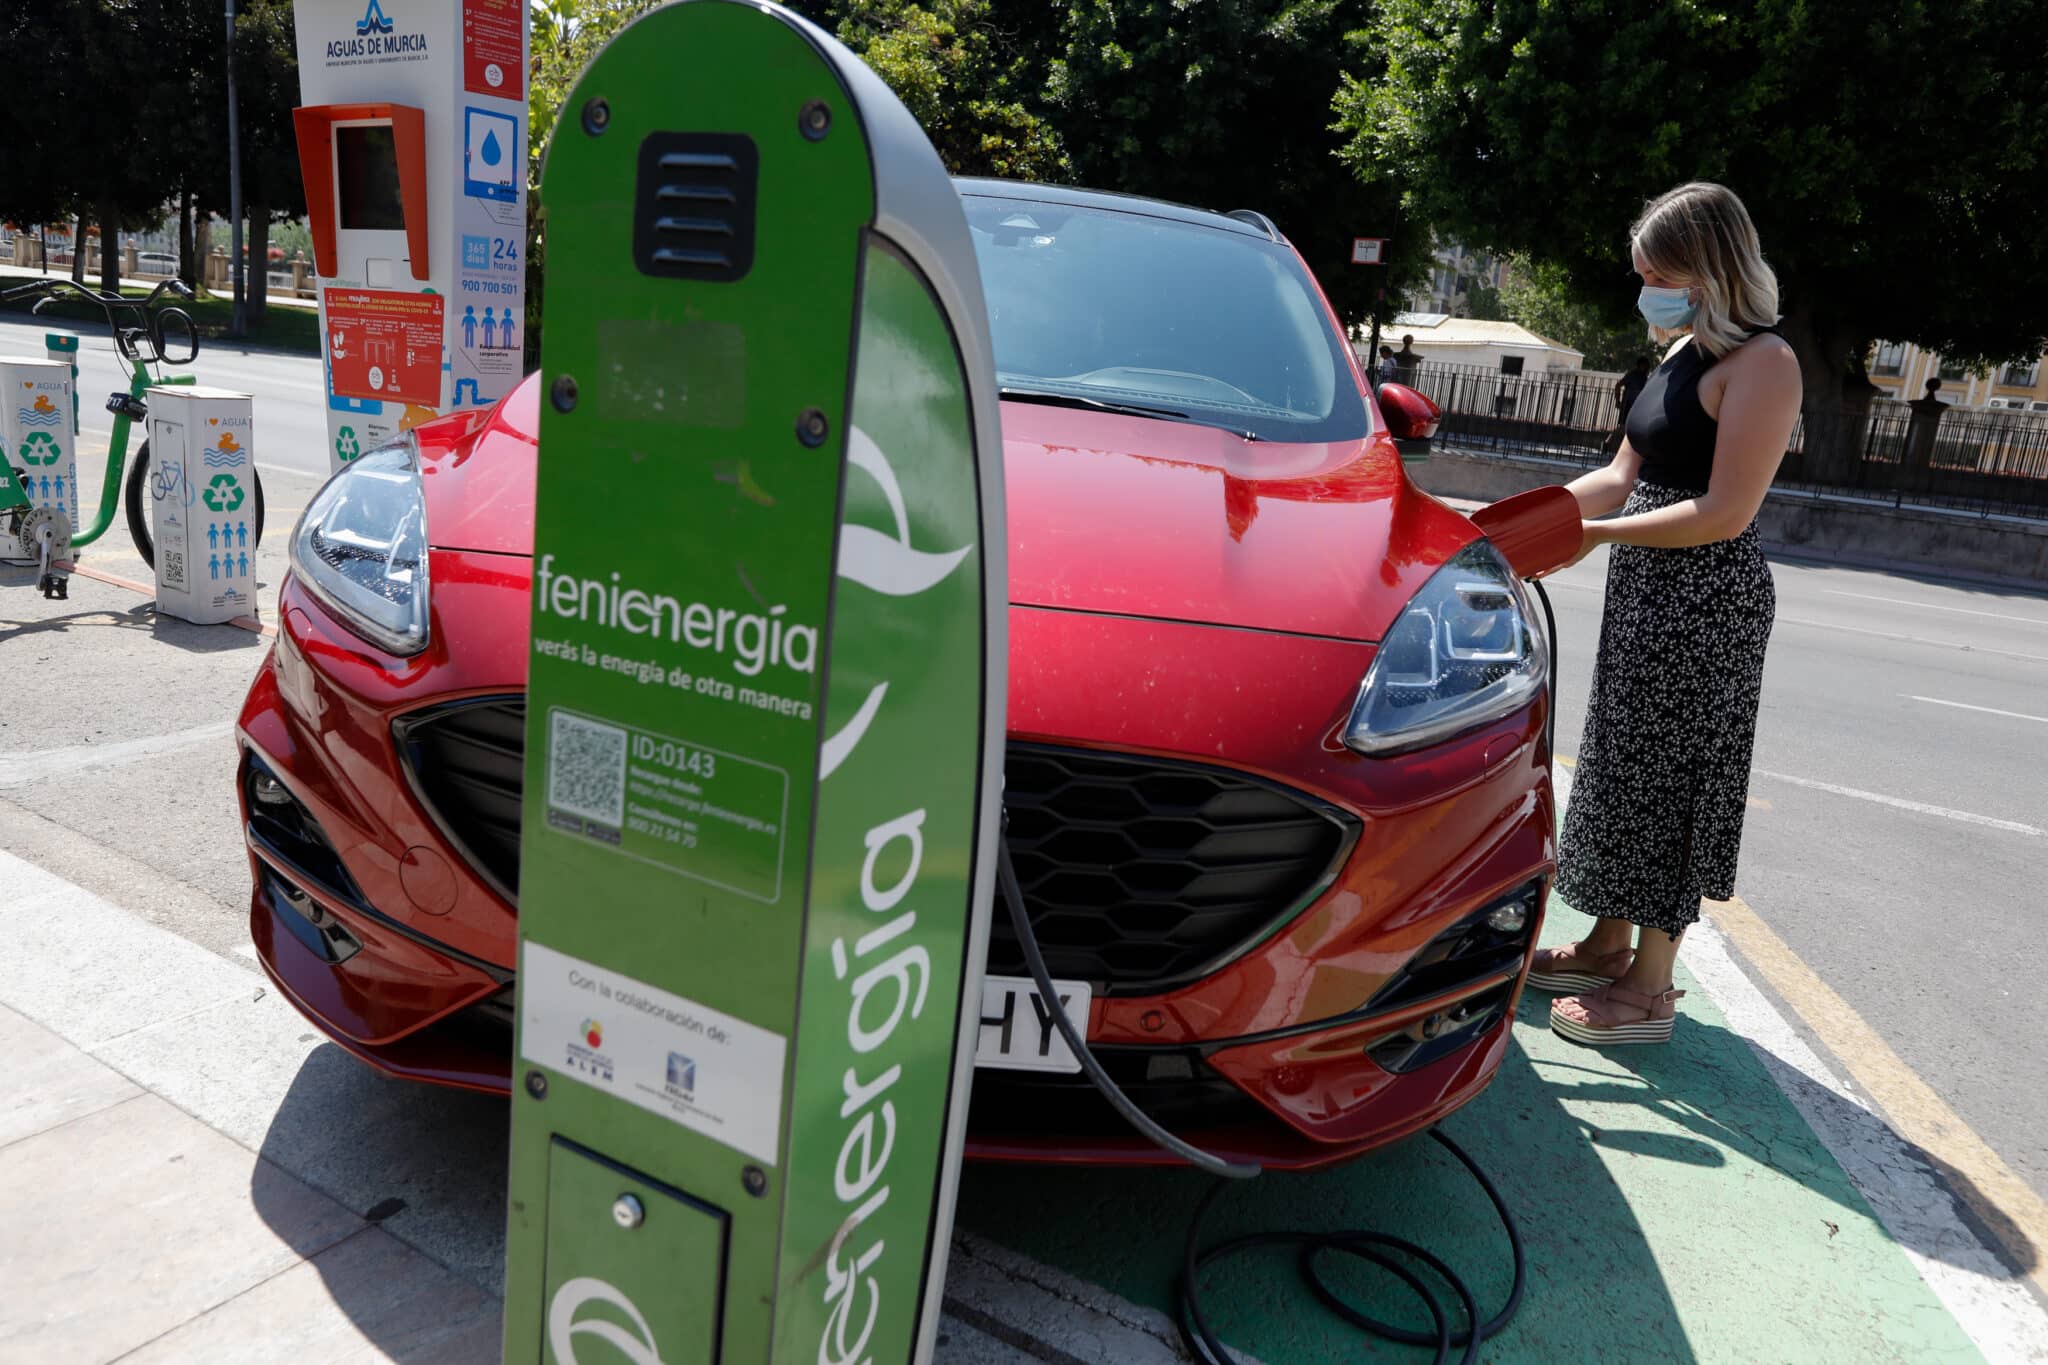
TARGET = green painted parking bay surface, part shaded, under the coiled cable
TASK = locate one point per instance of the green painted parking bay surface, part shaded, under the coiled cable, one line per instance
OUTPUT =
(1674, 1206)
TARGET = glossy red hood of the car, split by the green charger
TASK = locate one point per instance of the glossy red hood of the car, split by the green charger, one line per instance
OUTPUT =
(1109, 515)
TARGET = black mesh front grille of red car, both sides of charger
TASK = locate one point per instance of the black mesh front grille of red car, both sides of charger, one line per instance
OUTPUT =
(1140, 875)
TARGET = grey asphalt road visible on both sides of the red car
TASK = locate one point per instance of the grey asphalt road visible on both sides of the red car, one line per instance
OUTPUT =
(1897, 828)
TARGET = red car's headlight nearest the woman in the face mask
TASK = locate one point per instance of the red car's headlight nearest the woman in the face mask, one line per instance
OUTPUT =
(1461, 654)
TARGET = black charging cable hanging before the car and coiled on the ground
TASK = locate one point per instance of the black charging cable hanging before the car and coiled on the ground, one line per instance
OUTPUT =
(1377, 1249)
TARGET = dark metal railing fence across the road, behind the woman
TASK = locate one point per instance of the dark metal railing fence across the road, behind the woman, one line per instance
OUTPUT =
(1975, 461)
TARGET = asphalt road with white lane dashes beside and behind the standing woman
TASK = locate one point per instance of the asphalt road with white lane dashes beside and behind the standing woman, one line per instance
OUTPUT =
(1897, 828)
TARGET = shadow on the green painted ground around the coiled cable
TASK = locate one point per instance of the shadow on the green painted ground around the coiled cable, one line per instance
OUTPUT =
(1588, 1278)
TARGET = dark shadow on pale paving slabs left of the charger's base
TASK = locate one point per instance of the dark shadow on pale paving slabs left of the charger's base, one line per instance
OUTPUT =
(423, 1163)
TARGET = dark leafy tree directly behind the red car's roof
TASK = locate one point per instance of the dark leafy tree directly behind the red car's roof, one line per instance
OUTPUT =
(1230, 107)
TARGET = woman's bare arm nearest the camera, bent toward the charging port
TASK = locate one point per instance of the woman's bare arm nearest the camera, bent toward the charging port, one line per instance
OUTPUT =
(1758, 410)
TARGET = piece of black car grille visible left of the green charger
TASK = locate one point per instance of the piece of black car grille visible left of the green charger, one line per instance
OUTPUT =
(468, 766)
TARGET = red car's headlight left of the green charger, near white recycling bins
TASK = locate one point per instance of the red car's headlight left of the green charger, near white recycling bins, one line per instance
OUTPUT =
(361, 547)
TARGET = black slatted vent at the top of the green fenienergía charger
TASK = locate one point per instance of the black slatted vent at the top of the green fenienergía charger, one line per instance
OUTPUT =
(693, 208)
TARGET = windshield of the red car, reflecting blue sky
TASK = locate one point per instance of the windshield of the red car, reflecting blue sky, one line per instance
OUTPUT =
(1160, 316)
